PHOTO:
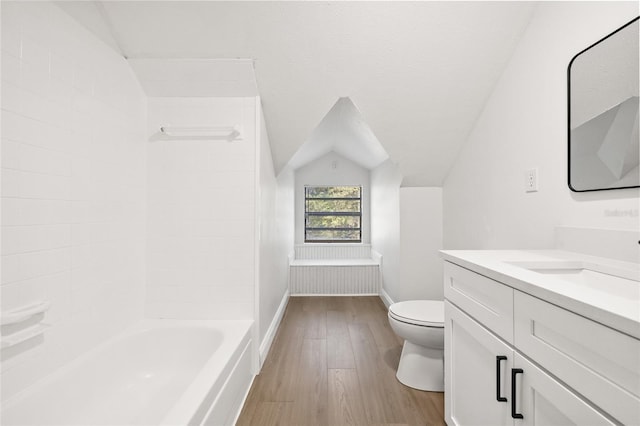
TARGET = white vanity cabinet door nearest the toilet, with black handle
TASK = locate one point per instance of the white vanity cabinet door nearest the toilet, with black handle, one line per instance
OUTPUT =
(473, 373)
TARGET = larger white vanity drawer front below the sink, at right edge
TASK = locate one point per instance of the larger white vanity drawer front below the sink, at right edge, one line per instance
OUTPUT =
(600, 363)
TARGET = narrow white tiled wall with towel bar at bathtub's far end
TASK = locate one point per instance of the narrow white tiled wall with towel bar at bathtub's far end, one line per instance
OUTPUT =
(201, 243)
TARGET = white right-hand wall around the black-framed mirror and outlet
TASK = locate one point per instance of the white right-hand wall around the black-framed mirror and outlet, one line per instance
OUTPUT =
(524, 125)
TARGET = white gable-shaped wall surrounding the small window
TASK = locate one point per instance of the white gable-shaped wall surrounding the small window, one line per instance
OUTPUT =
(332, 169)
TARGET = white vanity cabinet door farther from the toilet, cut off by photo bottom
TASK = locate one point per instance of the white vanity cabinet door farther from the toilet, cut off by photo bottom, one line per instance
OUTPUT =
(543, 401)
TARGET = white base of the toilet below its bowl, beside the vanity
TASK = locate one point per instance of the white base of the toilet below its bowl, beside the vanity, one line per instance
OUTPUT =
(421, 368)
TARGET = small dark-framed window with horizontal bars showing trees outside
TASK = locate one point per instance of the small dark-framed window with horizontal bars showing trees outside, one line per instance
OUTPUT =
(333, 214)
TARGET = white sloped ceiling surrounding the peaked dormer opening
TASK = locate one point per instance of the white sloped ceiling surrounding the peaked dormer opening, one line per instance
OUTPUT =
(418, 72)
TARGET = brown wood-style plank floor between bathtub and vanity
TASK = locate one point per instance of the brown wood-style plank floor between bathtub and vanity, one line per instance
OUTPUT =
(333, 362)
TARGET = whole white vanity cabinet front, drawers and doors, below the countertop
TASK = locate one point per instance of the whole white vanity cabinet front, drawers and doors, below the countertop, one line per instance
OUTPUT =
(540, 364)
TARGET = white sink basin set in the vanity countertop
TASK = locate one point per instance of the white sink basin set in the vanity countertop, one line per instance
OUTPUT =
(617, 282)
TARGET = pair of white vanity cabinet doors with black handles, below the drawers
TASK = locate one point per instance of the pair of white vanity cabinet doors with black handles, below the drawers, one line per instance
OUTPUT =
(481, 371)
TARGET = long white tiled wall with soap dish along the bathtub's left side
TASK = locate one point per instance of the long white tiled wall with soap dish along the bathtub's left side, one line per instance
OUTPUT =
(73, 187)
